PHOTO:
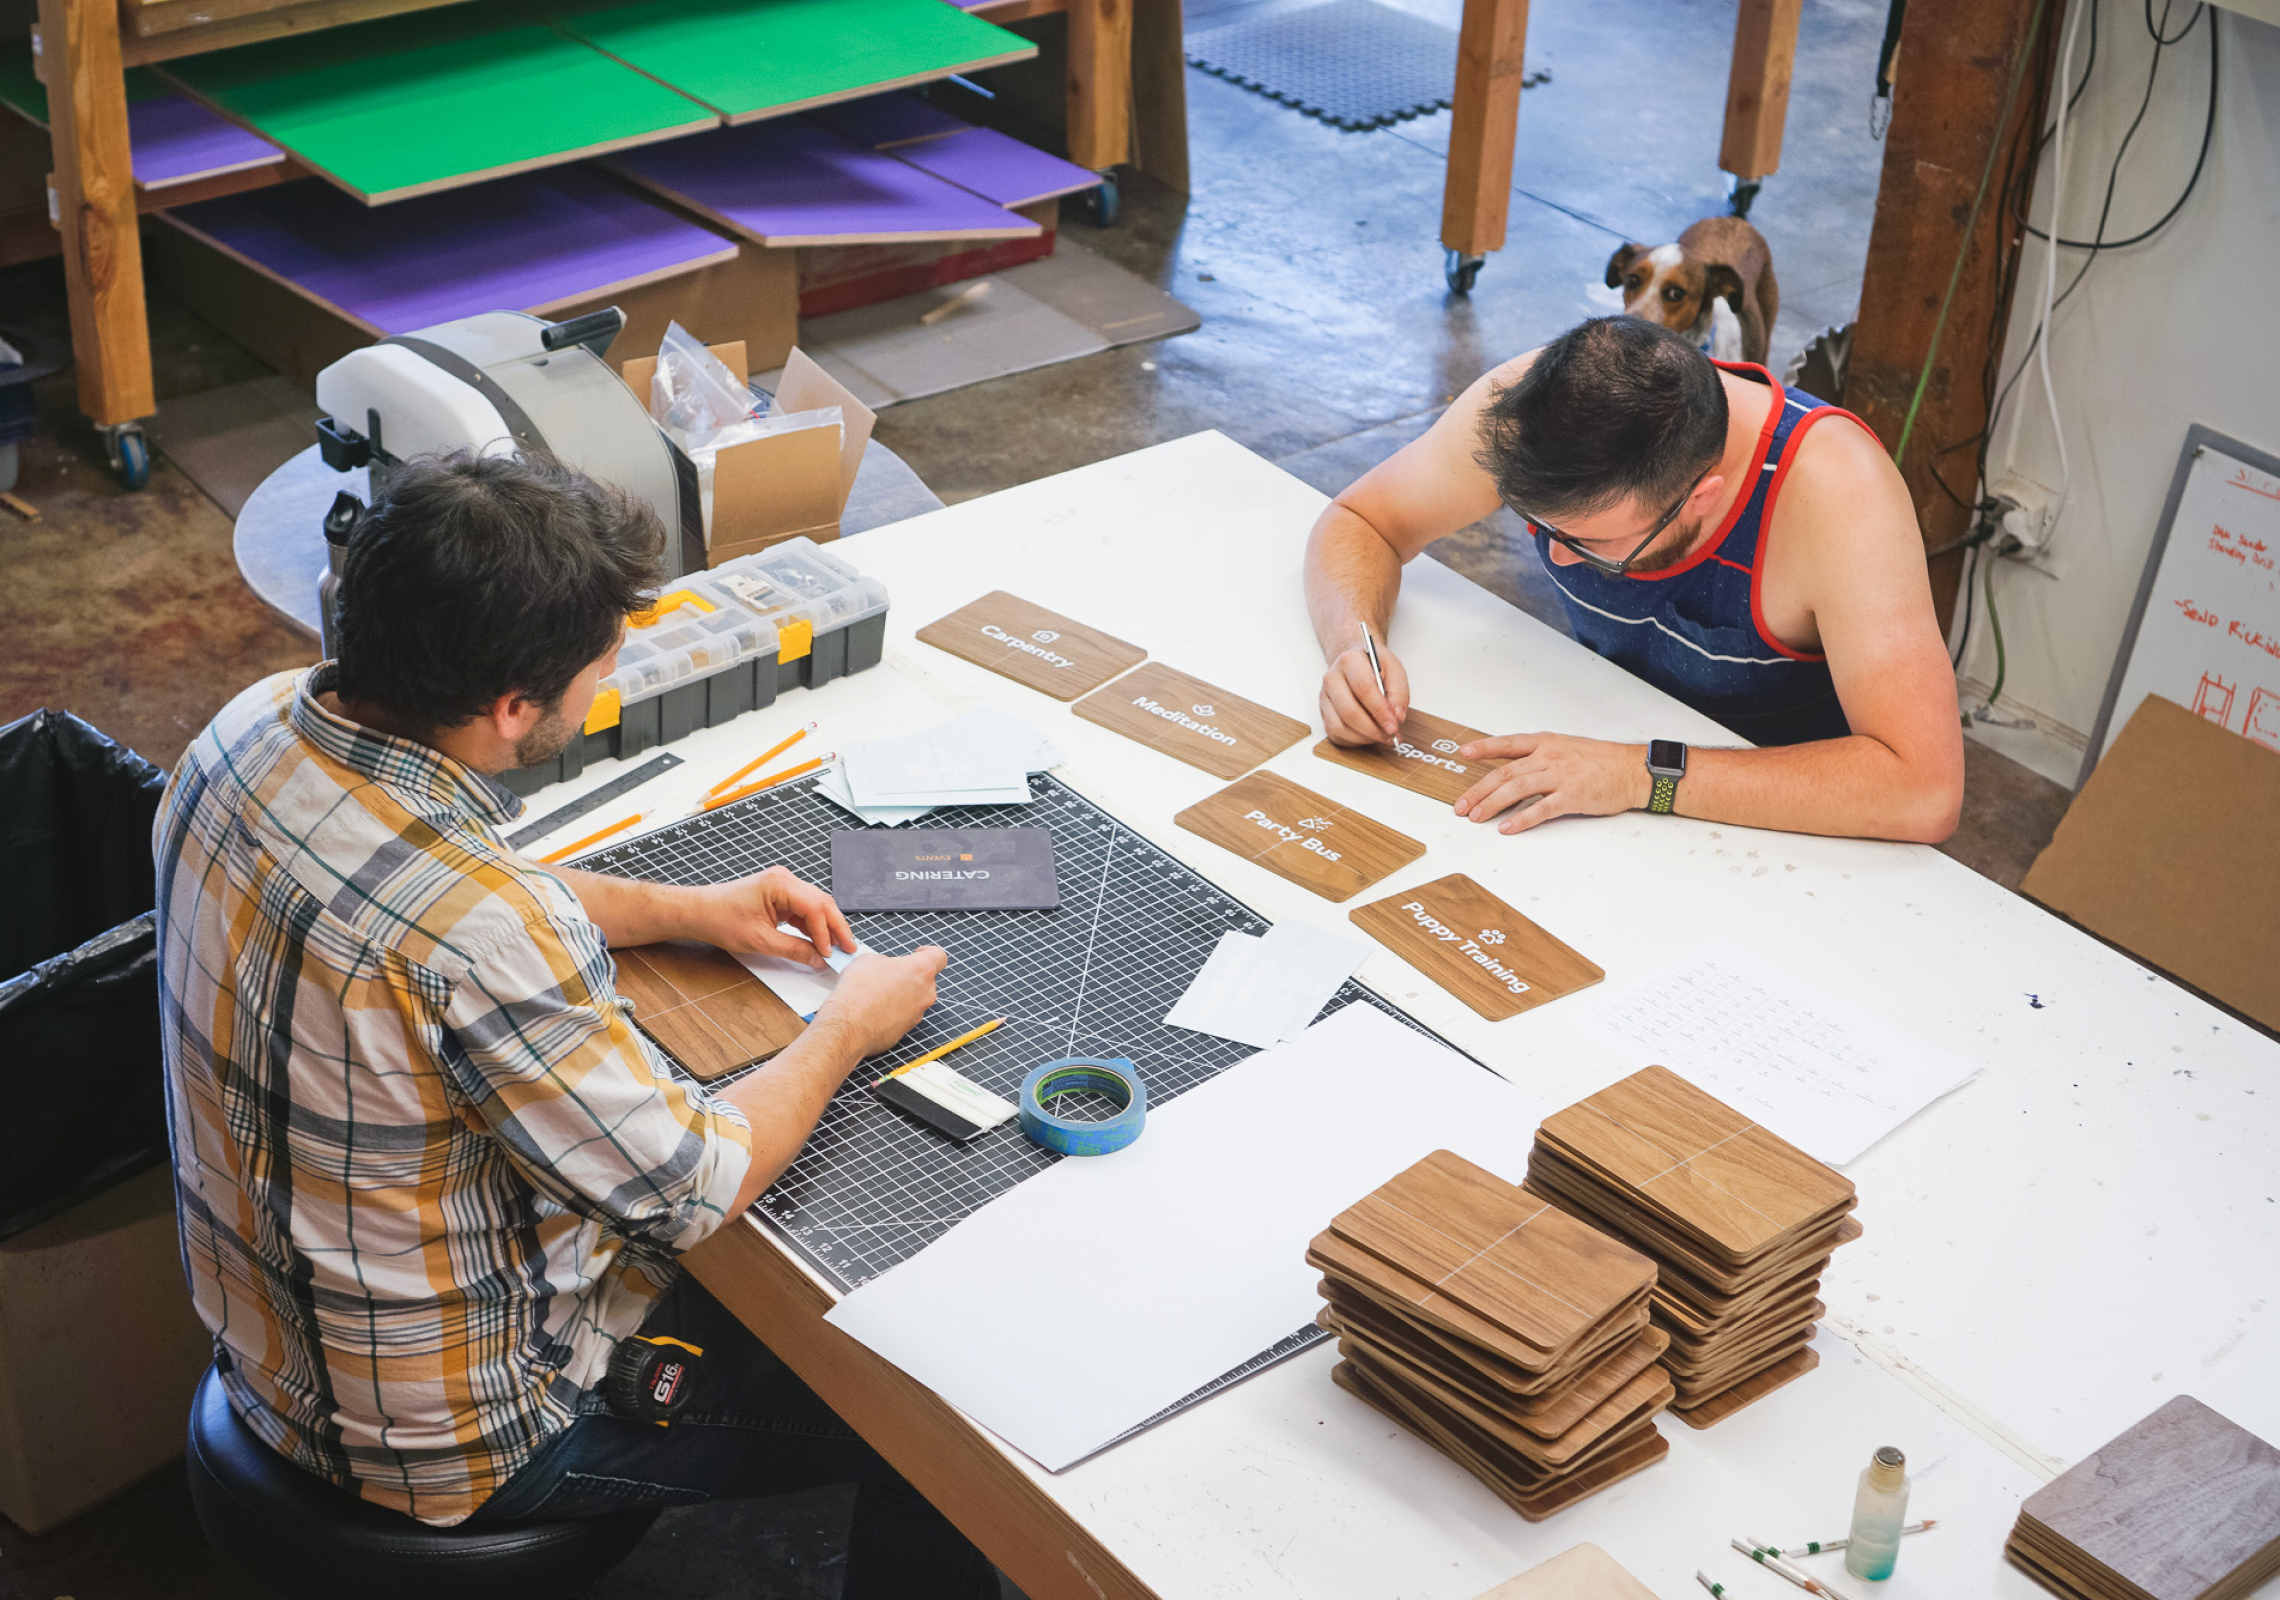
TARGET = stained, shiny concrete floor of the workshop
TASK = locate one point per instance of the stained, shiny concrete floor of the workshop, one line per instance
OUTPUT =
(1328, 343)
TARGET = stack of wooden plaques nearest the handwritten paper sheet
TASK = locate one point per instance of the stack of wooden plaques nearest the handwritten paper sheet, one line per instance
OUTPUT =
(1736, 1221)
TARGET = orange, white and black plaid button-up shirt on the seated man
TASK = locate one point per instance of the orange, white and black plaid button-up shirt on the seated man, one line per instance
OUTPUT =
(427, 1168)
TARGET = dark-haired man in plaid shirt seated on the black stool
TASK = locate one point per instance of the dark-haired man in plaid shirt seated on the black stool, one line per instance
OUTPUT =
(430, 1175)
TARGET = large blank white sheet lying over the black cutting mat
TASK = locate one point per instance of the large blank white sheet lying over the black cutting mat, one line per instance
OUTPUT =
(1105, 1289)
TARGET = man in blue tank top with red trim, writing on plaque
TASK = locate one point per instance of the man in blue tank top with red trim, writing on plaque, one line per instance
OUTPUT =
(1709, 534)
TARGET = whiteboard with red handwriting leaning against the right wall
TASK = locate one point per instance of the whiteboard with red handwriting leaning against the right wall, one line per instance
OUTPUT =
(2206, 626)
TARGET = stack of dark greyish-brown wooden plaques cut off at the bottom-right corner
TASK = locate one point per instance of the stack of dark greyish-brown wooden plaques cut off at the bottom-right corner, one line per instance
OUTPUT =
(2185, 1505)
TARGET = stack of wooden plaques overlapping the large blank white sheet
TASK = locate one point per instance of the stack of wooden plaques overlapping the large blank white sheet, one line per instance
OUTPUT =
(1510, 1337)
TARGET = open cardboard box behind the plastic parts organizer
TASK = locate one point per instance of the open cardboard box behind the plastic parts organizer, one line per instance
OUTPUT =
(788, 484)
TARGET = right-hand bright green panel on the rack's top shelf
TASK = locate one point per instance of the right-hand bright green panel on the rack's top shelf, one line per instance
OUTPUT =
(765, 58)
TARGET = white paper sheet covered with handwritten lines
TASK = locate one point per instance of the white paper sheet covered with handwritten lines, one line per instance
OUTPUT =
(1825, 1075)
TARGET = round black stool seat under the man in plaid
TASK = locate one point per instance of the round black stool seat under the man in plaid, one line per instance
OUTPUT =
(304, 1537)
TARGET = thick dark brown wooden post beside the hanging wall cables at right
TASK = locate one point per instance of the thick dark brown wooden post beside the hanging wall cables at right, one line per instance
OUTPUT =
(1955, 70)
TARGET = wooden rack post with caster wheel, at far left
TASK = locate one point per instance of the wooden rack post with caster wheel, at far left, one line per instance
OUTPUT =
(95, 206)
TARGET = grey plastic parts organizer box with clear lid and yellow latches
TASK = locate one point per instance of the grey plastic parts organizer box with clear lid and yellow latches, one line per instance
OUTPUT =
(722, 644)
